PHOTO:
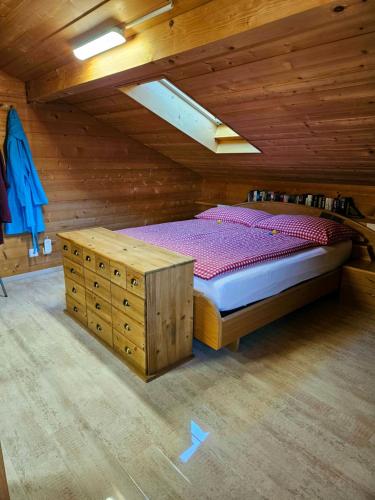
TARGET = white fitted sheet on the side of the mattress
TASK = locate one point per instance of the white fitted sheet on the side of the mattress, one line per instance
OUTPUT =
(239, 288)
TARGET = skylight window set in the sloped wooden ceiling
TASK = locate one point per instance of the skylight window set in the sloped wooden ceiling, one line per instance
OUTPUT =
(177, 108)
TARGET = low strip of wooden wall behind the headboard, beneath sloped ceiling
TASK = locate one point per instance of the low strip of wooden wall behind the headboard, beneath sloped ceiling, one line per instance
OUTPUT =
(223, 190)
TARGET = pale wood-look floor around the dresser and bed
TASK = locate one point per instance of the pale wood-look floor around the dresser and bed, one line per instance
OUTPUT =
(291, 415)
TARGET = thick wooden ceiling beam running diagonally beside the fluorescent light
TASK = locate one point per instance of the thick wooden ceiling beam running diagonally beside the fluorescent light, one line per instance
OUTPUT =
(206, 30)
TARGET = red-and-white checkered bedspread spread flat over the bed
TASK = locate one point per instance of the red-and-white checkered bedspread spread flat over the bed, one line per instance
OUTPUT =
(218, 248)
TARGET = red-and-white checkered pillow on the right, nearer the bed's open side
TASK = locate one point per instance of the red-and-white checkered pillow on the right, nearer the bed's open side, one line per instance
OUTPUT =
(322, 231)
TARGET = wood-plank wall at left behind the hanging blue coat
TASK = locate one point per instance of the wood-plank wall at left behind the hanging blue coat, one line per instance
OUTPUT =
(93, 176)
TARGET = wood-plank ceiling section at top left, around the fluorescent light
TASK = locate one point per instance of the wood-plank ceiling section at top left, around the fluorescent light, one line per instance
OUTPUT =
(38, 36)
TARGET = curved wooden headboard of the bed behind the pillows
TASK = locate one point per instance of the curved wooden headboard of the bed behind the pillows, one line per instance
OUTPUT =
(276, 207)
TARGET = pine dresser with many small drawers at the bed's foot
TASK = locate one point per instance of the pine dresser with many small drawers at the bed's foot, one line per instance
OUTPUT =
(135, 297)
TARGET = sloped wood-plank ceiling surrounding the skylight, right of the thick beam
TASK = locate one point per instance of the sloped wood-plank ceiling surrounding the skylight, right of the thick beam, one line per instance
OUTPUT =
(322, 127)
